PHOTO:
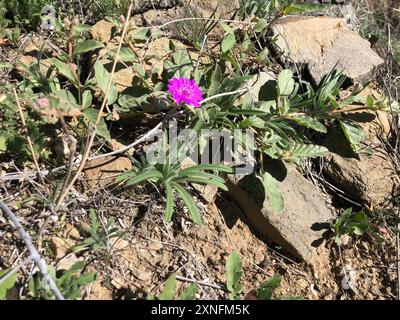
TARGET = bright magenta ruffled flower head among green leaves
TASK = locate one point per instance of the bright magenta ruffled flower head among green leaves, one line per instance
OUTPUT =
(185, 90)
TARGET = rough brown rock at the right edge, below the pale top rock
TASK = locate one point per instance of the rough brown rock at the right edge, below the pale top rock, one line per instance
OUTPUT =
(371, 180)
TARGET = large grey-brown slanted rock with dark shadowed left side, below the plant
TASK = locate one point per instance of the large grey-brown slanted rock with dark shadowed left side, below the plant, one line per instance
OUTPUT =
(299, 228)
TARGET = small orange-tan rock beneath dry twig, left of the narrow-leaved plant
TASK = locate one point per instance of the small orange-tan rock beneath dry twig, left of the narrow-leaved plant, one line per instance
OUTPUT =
(103, 172)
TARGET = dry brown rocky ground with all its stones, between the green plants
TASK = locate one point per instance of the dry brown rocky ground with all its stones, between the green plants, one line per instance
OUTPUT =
(298, 243)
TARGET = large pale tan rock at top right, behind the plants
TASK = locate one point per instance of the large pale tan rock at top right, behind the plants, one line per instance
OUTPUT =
(322, 42)
